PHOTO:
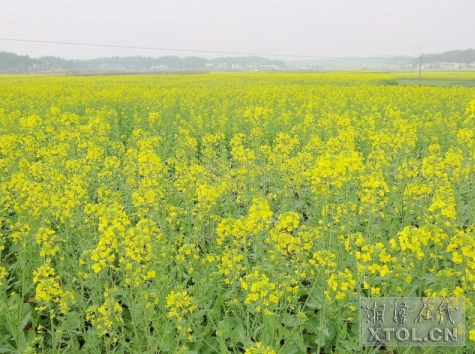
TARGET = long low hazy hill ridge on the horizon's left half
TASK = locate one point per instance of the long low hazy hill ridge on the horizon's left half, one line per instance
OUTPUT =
(16, 63)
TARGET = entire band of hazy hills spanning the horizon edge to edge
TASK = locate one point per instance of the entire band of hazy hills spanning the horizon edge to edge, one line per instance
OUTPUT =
(10, 62)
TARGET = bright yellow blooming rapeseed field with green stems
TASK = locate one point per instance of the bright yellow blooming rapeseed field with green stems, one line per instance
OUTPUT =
(228, 213)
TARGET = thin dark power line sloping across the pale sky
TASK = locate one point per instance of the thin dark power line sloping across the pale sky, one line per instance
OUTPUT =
(189, 50)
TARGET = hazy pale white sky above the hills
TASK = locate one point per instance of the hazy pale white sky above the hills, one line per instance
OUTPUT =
(297, 27)
